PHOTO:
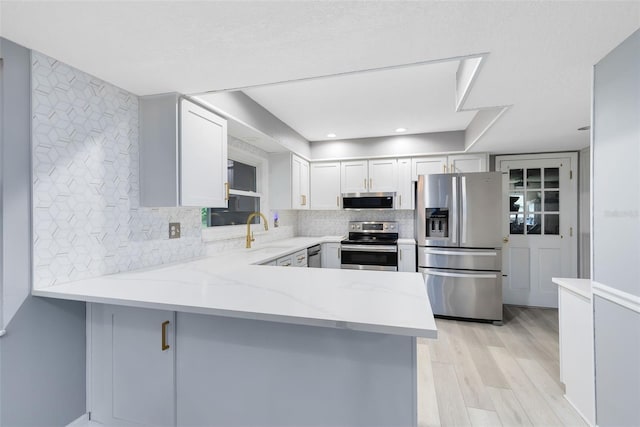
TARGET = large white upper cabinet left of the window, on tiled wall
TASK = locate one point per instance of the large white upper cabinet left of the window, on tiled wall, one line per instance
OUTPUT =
(183, 153)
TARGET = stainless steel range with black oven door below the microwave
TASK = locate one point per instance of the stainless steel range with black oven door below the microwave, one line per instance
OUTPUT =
(371, 246)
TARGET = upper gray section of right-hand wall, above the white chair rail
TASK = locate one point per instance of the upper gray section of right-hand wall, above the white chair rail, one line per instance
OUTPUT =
(616, 168)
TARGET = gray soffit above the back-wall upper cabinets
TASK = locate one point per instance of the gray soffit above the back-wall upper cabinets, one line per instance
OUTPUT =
(389, 146)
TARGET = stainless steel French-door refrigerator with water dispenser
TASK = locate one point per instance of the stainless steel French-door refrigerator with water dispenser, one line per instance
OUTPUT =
(459, 235)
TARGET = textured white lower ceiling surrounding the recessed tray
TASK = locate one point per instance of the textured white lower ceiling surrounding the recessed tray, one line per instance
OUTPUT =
(540, 52)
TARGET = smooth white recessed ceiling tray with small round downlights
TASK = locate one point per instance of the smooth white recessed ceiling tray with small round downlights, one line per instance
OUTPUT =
(420, 99)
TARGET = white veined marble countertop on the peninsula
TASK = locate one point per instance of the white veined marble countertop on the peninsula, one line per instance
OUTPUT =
(230, 284)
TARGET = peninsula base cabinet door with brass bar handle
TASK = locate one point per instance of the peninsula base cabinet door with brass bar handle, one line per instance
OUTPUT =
(133, 376)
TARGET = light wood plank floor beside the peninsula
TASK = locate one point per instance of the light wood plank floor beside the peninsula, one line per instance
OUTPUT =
(478, 374)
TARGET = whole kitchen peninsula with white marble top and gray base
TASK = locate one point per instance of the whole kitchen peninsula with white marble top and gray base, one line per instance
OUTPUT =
(247, 344)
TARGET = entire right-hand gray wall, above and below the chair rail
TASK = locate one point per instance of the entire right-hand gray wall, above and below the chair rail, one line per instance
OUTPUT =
(616, 233)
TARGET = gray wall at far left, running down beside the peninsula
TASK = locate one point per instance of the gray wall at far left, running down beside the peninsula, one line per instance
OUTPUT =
(42, 357)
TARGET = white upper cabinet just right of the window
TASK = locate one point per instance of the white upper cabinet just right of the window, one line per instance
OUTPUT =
(288, 181)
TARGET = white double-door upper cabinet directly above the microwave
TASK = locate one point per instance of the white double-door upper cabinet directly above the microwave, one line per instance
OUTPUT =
(361, 176)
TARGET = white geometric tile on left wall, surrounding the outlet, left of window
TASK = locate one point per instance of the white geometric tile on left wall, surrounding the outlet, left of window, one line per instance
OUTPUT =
(86, 215)
